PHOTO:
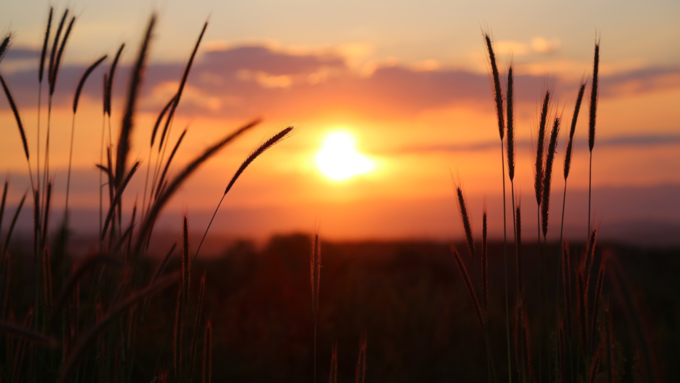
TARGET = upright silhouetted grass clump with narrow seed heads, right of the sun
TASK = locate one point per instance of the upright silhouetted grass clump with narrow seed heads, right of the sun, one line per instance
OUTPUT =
(569, 338)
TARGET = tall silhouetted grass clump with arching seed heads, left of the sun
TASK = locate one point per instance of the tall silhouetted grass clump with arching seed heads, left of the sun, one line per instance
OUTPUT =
(85, 316)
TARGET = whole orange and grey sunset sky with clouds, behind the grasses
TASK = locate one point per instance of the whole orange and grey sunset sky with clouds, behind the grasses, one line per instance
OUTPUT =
(408, 81)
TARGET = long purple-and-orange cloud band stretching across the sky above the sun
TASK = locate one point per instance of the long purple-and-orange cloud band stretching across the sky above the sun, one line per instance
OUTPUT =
(242, 81)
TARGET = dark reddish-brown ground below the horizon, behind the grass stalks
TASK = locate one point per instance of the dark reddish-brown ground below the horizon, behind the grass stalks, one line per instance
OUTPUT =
(410, 299)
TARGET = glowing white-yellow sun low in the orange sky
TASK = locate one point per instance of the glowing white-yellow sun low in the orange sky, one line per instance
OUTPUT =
(338, 158)
